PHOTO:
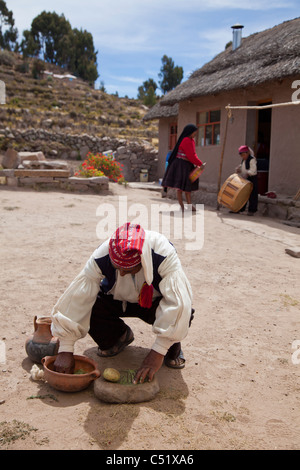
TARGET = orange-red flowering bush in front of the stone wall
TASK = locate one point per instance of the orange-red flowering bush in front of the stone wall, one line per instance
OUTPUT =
(101, 165)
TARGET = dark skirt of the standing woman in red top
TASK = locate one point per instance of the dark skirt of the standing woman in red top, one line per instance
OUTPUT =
(177, 176)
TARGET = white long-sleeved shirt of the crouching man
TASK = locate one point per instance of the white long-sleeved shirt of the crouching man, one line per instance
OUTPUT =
(71, 314)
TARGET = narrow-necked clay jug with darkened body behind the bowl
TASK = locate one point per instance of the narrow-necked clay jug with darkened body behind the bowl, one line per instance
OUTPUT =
(41, 343)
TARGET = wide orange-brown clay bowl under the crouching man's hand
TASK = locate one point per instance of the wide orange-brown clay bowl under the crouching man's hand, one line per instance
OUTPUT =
(71, 382)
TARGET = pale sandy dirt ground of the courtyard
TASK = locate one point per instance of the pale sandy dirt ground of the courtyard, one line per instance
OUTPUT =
(240, 388)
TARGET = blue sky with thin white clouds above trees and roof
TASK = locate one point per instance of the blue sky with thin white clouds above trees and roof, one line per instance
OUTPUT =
(132, 36)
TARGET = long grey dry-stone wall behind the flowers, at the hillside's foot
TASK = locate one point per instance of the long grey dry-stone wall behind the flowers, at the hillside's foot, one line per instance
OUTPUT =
(134, 155)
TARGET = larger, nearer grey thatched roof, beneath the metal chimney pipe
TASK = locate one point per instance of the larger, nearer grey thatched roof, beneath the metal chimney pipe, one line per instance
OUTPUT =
(270, 55)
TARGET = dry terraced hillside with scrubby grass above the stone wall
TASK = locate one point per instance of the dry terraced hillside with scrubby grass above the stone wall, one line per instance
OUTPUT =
(66, 105)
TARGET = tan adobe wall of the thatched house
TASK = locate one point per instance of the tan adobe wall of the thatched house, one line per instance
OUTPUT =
(284, 171)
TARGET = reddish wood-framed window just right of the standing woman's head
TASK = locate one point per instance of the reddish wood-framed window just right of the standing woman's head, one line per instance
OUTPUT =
(208, 123)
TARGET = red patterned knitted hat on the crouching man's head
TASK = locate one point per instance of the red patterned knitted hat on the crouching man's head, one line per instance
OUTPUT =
(125, 246)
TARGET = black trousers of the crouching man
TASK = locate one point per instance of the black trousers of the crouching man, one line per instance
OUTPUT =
(107, 326)
